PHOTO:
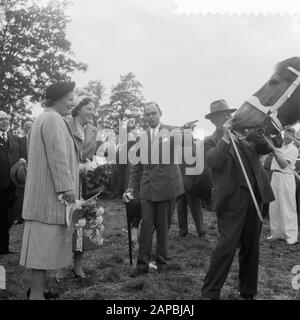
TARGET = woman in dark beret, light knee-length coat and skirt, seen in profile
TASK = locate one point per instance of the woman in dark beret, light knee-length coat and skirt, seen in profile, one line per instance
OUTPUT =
(52, 170)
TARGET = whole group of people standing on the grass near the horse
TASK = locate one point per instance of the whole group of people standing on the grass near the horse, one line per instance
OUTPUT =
(47, 165)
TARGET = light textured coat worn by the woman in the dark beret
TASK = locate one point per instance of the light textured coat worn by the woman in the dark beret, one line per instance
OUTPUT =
(52, 168)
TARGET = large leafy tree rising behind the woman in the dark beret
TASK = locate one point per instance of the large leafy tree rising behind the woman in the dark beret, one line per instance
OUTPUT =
(34, 52)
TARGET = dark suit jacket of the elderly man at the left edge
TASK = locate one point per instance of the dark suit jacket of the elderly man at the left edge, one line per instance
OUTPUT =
(10, 153)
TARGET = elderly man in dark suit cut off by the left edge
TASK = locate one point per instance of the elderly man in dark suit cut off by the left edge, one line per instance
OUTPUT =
(9, 155)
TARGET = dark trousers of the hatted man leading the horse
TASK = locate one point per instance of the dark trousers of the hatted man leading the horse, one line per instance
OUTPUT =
(238, 224)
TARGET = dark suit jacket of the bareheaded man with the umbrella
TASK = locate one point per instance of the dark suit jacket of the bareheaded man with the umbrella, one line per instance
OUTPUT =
(157, 182)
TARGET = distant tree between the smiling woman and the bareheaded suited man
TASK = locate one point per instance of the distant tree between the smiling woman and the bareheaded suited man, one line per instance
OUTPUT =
(126, 104)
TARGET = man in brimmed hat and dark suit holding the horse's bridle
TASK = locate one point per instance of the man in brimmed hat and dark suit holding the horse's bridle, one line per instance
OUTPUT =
(238, 222)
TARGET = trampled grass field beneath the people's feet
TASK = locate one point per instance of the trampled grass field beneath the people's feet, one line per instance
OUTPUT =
(108, 268)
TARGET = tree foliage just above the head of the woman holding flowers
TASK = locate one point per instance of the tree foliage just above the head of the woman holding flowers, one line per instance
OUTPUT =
(94, 90)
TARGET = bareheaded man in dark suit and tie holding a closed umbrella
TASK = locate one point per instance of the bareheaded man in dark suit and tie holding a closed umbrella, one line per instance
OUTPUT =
(160, 184)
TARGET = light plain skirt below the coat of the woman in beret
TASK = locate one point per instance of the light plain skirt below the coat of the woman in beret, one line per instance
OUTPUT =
(46, 246)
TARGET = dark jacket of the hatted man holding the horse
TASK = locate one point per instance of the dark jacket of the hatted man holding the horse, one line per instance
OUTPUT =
(227, 173)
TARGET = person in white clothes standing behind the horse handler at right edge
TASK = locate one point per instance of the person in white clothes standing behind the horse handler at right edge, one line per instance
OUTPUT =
(283, 211)
